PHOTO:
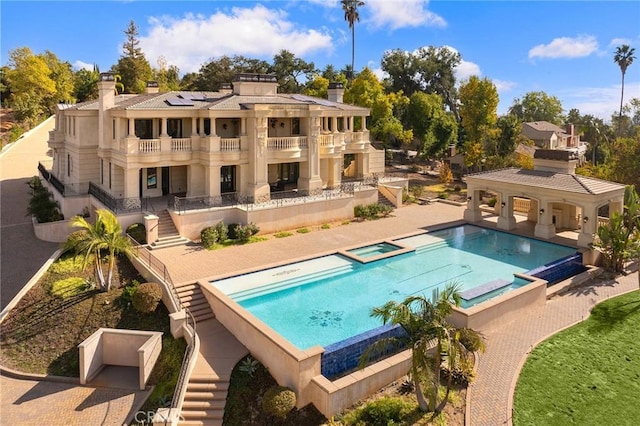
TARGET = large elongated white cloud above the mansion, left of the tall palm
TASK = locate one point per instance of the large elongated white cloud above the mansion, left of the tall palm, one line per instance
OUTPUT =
(256, 32)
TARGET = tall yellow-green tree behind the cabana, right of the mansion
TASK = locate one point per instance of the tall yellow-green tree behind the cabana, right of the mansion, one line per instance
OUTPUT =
(478, 108)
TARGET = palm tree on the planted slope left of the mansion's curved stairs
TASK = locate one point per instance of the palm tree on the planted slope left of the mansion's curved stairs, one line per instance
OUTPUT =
(92, 240)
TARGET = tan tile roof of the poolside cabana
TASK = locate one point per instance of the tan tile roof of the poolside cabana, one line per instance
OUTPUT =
(551, 180)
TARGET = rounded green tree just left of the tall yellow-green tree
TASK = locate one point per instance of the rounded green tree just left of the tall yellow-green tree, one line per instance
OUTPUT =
(434, 127)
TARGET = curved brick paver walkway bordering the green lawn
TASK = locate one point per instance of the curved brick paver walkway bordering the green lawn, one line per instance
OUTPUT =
(507, 346)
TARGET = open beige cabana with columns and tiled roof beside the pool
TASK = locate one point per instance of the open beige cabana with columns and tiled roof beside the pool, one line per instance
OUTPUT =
(553, 197)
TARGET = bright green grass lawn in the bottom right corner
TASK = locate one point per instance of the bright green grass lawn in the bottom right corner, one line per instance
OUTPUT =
(588, 374)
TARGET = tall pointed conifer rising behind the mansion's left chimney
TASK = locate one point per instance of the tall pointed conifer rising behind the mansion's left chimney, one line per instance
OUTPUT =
(133, 67)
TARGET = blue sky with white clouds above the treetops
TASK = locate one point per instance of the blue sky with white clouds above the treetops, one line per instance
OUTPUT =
(564, 48)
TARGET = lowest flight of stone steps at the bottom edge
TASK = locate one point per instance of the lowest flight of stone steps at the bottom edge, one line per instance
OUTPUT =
(204, 401)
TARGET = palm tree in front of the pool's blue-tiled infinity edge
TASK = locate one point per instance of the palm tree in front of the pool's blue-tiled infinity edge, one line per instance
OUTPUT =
(430, 337)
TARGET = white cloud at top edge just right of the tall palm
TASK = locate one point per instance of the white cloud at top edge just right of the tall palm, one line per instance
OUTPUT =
(401, 14)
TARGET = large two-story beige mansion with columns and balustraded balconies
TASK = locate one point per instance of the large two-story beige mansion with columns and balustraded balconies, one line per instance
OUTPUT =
(240, 146)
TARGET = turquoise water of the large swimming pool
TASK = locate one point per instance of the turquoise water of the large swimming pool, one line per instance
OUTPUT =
(329, 299)
